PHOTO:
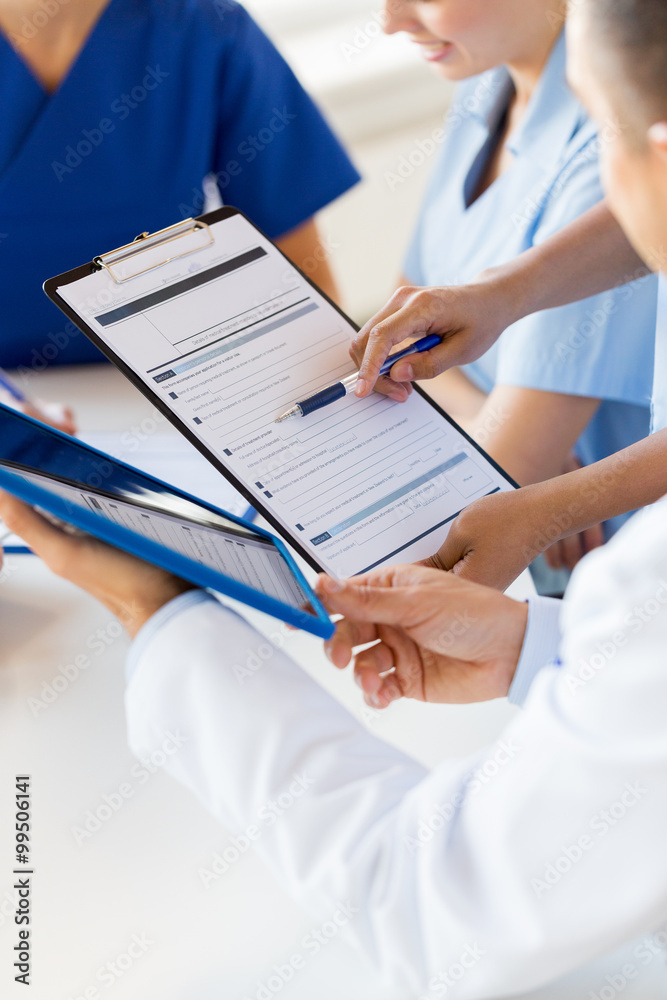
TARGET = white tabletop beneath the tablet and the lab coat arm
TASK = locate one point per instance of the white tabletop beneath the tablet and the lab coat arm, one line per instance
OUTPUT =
(138, 874)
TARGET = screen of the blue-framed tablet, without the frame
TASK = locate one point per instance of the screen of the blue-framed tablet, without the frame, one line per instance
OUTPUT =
(84, 480)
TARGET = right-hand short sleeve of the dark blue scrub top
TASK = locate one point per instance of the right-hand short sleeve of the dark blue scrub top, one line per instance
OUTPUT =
(276, 159)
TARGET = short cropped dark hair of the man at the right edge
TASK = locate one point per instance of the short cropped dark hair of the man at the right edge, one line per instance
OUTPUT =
(635, 31)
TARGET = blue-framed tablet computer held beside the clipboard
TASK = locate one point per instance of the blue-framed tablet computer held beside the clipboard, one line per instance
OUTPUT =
(94, 492)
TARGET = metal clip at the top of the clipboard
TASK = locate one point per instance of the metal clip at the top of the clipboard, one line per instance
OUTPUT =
(148, 250)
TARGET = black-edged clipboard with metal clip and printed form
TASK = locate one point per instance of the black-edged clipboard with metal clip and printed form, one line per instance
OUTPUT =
(145, 286)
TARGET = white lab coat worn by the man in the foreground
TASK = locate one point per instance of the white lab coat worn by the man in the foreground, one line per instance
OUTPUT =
(488, 876)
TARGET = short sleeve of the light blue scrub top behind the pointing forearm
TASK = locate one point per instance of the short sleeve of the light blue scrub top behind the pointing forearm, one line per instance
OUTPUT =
(601, 347)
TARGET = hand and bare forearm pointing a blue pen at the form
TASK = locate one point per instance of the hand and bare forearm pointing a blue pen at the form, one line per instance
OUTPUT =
(587, 257)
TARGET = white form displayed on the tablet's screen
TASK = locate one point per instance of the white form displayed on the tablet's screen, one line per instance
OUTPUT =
(242, 556)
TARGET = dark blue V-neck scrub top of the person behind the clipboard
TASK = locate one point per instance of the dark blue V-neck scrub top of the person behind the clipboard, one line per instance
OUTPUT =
(163, 94)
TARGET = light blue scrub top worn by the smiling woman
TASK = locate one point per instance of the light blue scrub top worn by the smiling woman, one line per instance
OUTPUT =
(602, 347)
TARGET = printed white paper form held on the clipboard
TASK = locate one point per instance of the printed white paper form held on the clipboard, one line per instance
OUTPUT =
(233, 336)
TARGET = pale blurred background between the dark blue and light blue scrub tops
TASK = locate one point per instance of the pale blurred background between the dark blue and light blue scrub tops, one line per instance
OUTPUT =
(382, 100)
